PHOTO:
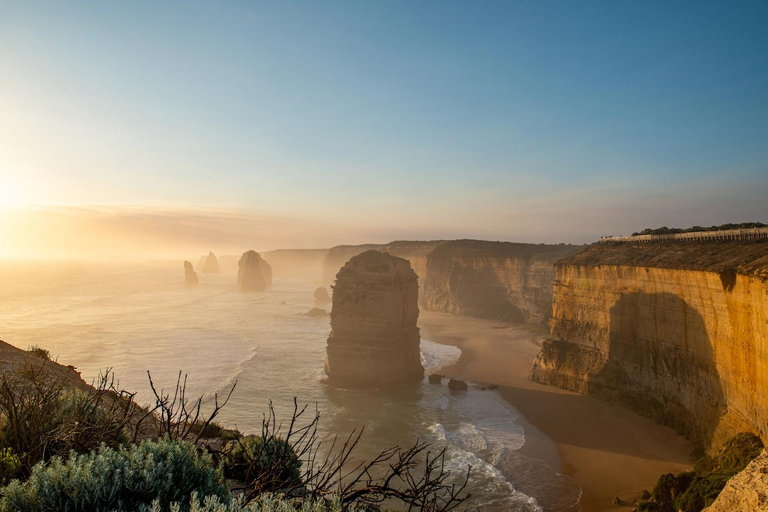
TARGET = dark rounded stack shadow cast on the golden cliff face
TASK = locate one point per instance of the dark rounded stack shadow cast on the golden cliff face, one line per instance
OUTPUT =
(660, 363)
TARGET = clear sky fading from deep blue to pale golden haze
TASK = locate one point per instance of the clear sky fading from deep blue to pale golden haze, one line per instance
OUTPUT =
(149, 127)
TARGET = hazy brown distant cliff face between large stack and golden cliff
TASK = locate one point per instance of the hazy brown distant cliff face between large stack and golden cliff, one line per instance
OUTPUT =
(498, 280)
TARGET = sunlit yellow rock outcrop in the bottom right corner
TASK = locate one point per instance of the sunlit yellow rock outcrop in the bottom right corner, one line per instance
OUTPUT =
(747, 491)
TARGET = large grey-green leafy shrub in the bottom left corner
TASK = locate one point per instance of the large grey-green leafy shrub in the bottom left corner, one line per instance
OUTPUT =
(122, 480)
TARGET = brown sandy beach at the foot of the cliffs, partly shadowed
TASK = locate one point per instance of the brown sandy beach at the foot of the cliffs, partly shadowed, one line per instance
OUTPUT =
(609, 451)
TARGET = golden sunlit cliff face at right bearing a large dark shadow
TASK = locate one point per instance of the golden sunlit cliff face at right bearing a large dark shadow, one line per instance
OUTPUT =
(678, 332)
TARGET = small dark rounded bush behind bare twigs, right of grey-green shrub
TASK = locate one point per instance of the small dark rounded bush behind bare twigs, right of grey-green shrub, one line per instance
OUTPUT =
(269, 466)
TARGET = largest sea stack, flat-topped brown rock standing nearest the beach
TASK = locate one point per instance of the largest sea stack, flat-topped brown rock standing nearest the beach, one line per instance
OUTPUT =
(374, 341)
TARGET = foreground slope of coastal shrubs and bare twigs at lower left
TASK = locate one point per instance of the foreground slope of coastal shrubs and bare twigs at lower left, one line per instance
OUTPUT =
(65, 445)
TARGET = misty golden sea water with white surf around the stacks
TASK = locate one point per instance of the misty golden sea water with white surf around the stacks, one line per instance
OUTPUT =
(140, 318)
